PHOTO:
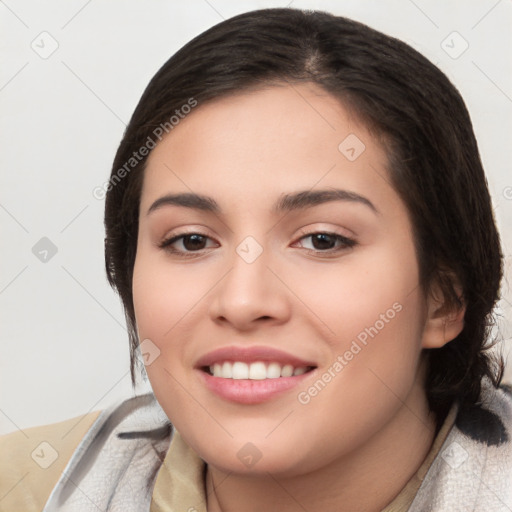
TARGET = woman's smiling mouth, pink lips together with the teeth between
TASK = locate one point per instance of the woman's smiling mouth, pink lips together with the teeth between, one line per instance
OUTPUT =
(251, 375)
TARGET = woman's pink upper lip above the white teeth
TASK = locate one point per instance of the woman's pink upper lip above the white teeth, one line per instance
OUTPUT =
(251, 355)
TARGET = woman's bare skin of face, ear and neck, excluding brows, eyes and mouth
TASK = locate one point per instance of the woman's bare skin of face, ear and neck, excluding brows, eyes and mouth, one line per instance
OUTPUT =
(356, 443)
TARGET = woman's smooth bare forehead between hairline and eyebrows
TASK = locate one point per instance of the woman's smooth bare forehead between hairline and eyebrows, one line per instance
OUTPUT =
(257, 144)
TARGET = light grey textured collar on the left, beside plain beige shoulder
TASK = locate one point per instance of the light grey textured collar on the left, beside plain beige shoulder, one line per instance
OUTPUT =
(116, 461)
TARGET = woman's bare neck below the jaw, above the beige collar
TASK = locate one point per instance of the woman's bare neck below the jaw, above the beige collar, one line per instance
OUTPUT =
(366, 479)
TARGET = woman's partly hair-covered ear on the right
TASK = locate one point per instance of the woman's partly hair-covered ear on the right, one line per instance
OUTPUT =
(444, 321)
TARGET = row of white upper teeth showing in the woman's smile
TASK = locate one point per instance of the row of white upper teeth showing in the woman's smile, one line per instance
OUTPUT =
(255, 371)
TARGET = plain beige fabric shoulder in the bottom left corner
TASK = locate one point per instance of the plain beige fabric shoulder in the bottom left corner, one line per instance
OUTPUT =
(33, 460)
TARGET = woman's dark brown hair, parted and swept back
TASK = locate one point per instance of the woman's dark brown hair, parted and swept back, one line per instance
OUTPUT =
(409, 103)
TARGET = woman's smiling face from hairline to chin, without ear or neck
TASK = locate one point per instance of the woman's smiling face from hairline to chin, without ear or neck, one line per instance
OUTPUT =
(273, 251)
